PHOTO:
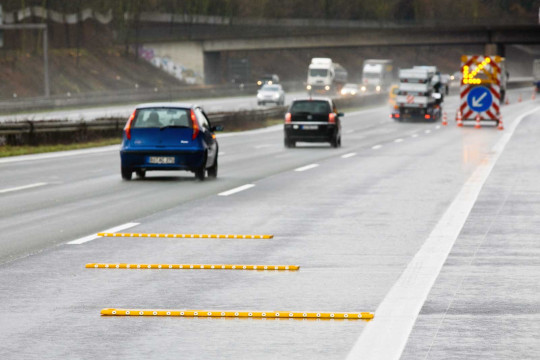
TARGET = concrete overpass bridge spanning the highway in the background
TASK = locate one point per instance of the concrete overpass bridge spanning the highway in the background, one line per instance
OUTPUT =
(204, 55)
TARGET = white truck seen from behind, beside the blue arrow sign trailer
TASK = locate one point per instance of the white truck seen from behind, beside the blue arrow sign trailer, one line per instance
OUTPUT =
(417, 97)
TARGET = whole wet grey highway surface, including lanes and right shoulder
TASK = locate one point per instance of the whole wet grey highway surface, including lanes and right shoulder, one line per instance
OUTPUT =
(369, 224)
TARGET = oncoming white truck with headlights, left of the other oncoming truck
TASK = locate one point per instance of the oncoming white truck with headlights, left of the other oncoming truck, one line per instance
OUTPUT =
(325, 76)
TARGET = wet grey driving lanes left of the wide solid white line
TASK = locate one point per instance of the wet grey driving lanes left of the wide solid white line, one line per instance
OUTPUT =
(352, 223)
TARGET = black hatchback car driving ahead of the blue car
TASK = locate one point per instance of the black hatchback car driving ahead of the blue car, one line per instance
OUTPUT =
(313, 120)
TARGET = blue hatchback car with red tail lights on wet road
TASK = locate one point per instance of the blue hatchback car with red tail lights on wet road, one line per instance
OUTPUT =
(169, 136)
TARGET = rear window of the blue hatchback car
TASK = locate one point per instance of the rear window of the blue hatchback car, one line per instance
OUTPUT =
(160, 117)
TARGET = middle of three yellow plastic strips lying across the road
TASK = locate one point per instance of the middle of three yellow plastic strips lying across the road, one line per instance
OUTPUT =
(191, 266)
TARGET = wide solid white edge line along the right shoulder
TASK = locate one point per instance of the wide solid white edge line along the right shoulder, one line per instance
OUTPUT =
(387, 335)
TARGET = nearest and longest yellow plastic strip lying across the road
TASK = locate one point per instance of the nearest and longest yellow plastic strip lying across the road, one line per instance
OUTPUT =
(239, 314)
